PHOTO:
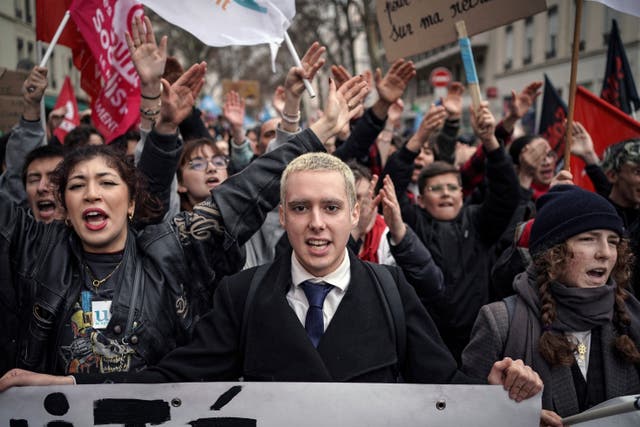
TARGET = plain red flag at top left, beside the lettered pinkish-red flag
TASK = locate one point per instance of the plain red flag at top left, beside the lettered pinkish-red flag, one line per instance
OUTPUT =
(49, 14)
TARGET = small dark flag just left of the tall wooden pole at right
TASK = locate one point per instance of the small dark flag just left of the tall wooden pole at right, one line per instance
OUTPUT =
(554, 113)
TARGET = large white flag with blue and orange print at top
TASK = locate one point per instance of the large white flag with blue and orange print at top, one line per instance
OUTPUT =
(229, 22)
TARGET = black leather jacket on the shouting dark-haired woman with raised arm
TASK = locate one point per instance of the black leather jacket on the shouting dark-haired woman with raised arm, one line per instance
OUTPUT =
(169, 270)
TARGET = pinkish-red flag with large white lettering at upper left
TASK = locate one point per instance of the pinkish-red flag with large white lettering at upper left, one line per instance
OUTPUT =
(110, 77)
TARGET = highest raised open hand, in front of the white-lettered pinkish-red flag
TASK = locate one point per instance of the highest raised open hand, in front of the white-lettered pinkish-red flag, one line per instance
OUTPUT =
(148, 57)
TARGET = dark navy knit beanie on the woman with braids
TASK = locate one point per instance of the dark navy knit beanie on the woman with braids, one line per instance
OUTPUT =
(567, 210)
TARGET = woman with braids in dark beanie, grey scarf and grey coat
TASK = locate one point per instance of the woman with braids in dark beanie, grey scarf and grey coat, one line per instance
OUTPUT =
(572, 319)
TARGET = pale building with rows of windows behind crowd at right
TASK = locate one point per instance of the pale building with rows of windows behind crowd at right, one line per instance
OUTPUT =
(512, 56)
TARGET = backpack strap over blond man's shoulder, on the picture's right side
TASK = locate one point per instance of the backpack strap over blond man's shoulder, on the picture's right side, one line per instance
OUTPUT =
(387, 286)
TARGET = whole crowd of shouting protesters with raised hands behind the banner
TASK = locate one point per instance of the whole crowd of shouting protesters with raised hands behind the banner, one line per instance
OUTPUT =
(114, 257)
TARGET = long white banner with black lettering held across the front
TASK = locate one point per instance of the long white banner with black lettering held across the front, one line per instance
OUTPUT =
(266, 404)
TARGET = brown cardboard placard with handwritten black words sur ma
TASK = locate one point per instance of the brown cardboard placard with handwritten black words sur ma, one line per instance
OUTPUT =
(409, 27)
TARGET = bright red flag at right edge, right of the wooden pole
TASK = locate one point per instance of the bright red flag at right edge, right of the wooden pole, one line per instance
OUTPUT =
(605, 123)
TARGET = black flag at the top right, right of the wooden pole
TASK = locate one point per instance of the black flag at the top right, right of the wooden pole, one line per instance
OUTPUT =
(618, 88)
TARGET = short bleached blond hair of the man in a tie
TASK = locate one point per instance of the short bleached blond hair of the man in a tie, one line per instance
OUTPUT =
(320, 162)
